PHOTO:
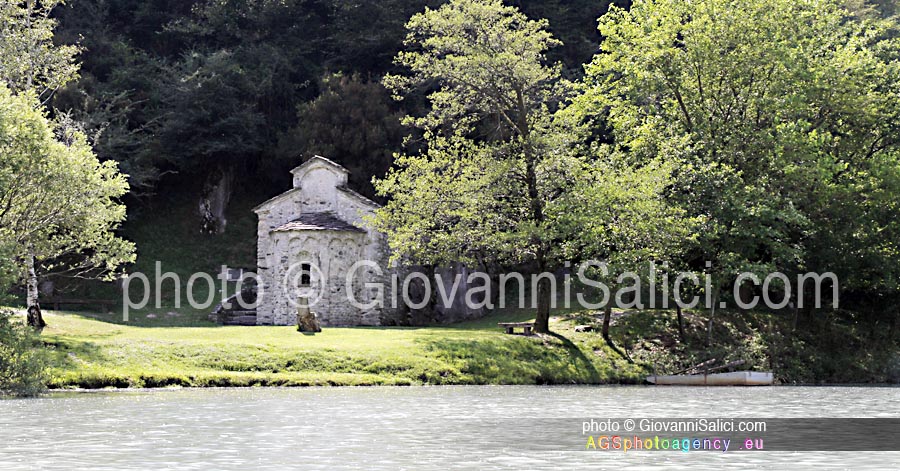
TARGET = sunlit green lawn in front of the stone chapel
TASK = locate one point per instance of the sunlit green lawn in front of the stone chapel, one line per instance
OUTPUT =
(93, 353)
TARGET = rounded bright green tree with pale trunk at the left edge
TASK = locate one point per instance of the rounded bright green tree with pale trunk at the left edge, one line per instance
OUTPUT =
(58, 204)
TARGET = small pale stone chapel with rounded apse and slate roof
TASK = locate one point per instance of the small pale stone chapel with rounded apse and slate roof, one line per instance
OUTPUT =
(317, 228)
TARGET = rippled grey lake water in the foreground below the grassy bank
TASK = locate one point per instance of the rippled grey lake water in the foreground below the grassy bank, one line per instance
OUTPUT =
(415, 428)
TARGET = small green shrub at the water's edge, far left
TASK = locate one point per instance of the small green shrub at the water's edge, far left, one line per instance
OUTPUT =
(22, 359)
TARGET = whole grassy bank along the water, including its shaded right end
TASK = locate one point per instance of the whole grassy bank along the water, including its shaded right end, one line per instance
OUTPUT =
(93, 351)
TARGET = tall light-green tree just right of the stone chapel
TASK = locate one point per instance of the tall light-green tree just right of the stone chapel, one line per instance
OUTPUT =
(498, 184)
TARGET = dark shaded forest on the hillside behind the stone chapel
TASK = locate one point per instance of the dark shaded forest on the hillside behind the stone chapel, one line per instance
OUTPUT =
(145, 63)
